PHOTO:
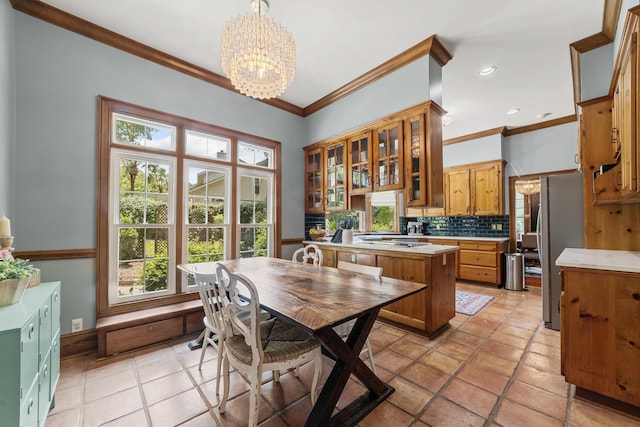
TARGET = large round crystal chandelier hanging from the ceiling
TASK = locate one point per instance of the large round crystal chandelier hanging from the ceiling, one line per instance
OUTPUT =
(258, 54)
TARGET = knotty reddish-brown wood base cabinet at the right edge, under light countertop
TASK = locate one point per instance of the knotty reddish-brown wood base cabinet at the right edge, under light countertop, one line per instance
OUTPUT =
(600, 332)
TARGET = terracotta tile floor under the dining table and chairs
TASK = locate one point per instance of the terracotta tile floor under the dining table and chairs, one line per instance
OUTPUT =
(500, 367)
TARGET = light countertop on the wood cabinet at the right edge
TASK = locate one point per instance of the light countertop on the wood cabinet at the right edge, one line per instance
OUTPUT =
(600, 259)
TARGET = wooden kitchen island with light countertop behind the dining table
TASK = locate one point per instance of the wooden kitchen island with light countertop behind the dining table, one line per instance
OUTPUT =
(434, 265)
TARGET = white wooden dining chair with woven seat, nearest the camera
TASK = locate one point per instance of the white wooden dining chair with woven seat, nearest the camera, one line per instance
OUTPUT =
(254, 347)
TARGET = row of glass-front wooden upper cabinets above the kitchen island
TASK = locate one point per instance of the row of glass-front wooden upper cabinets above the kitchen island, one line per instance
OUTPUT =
(402, 151)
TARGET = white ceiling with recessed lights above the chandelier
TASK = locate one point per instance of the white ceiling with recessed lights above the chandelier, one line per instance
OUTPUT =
(339, 40)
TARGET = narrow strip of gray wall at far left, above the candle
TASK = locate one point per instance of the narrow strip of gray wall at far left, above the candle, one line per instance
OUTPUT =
(7, 102)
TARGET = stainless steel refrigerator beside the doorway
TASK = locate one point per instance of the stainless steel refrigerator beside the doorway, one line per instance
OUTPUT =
(560, 225)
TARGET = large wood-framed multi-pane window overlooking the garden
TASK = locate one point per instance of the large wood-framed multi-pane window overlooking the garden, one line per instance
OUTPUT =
(170, 191)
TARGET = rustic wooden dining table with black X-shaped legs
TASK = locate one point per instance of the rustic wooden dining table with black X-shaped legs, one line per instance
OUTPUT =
(317, 299)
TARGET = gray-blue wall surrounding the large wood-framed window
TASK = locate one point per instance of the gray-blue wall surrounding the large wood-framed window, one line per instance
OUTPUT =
(60, 76)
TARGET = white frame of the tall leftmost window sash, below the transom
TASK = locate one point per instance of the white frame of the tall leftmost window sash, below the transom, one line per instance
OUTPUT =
(114, 223)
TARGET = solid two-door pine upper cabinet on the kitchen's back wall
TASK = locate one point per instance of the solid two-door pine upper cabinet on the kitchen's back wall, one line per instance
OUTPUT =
(474, 189)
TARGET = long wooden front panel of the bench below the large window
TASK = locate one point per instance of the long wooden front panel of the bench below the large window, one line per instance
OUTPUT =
(140, 336)
